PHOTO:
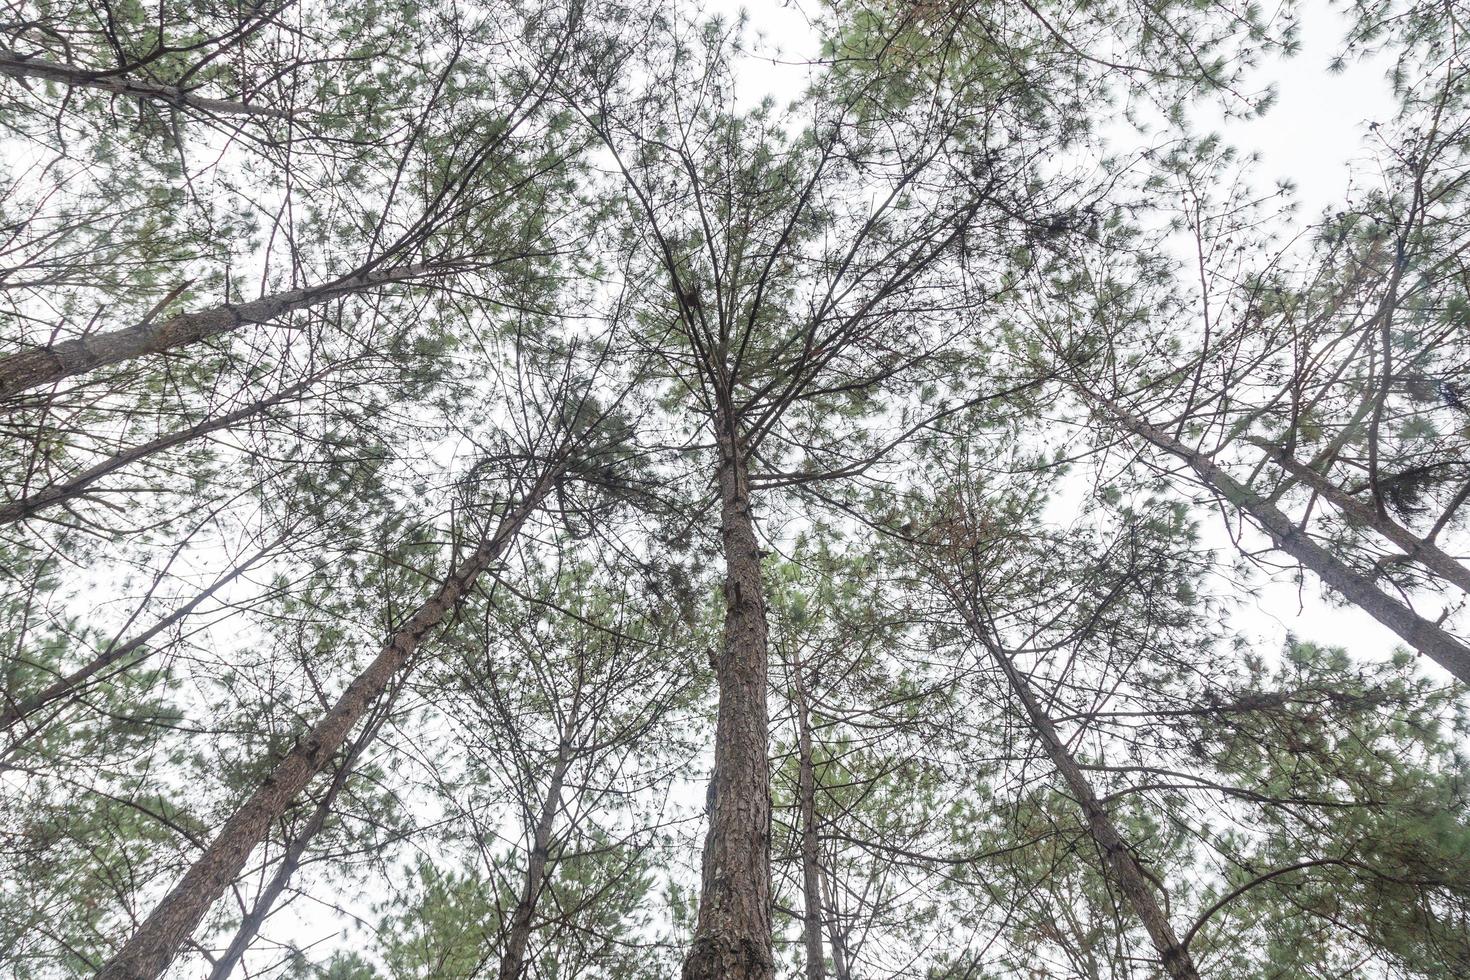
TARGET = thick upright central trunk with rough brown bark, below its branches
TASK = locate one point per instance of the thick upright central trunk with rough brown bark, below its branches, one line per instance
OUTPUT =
(733, 937)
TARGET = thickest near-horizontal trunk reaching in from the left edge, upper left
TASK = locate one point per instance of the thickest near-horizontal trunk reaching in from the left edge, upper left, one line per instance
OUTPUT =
(58, 362)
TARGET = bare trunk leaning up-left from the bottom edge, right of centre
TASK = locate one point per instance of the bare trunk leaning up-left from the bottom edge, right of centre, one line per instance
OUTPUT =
(1119, 863)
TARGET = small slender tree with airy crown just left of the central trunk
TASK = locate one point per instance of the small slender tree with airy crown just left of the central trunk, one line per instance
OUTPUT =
(567, 684)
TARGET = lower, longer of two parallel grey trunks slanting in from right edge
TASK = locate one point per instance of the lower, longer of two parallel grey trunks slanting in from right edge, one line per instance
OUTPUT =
(1421, 634)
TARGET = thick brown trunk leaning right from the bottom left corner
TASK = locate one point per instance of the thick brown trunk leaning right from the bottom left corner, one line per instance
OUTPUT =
(154, 947)
